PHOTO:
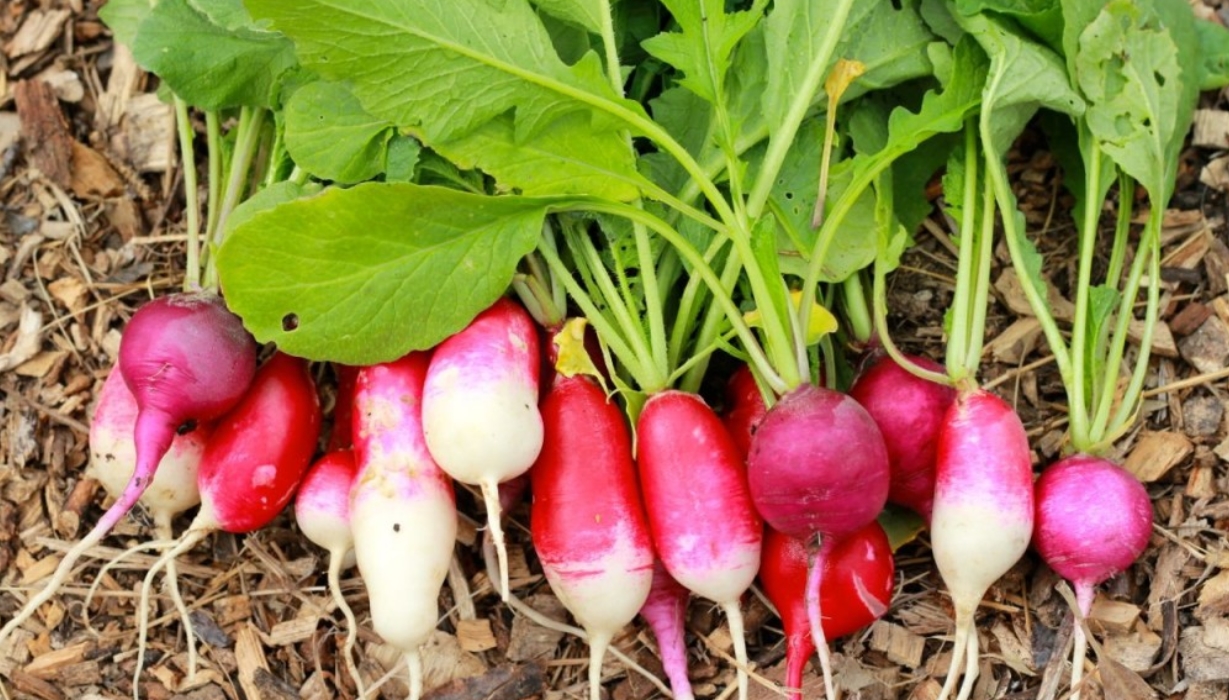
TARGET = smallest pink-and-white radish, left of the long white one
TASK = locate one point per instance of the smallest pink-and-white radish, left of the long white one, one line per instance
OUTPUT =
(323, 511)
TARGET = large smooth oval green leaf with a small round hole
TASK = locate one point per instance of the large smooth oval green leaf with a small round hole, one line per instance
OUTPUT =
(363, 276)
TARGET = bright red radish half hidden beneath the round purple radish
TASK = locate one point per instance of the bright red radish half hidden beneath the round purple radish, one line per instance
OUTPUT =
(858, 580)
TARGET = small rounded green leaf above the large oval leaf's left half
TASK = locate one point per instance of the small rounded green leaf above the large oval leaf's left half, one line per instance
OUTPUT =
(330, 136)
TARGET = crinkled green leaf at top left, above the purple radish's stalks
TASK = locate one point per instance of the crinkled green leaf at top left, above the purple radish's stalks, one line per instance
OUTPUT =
(210, 66)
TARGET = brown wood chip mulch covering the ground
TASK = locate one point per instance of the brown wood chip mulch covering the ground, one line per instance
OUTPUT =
(92, 223)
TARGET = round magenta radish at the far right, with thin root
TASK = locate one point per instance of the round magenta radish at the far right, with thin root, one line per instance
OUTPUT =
(1093, 521)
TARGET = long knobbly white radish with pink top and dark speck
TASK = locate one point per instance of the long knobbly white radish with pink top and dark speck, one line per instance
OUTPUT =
(402, 509)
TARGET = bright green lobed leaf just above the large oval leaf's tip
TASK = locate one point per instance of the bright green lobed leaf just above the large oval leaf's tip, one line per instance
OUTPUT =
(570, 158)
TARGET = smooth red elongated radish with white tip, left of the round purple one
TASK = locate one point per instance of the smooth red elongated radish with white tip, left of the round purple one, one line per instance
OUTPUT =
(704, 523)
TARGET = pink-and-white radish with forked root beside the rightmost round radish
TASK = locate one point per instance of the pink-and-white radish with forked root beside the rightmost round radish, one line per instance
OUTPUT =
(984, 511)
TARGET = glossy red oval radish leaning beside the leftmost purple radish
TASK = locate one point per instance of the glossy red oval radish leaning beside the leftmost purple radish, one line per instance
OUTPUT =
(251, 466)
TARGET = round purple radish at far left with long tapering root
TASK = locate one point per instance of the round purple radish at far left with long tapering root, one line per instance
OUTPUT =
(186, 359)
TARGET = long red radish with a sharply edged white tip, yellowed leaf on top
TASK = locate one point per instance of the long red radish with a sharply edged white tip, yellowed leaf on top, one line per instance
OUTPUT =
(589, 527)
